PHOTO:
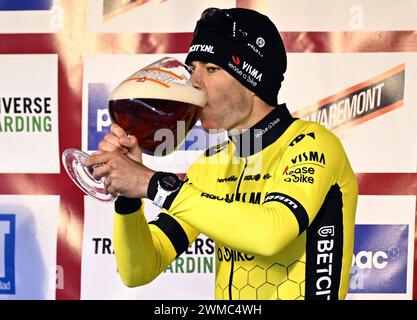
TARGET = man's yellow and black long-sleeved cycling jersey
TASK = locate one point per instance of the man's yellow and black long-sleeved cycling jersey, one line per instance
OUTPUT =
(279, 201)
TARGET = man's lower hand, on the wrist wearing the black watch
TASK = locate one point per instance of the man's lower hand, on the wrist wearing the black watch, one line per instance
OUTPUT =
(124, 176)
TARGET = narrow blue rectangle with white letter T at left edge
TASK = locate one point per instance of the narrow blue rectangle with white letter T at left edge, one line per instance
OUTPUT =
(7, 253)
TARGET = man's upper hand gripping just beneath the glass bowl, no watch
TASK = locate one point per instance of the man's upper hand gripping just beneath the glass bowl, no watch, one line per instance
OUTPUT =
(118, 140)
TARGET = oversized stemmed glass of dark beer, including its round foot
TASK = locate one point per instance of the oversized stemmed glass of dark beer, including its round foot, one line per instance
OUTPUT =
(157, 104)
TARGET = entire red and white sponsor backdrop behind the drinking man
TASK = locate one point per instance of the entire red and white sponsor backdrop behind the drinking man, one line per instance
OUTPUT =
(352, 66)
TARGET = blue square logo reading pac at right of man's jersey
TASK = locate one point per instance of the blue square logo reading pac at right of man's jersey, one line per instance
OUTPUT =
(380, 259)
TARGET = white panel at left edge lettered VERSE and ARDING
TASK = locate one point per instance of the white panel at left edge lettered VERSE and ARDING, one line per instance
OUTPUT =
(29, 113)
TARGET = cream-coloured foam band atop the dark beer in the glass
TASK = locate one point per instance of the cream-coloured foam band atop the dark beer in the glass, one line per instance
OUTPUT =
(147, 89)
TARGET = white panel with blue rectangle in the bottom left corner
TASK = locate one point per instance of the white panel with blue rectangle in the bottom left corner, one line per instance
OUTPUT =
(28, 242)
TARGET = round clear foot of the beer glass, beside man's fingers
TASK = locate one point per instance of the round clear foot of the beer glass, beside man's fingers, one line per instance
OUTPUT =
(73, 161)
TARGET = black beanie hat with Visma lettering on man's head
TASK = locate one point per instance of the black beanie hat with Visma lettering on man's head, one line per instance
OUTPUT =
(246, 44)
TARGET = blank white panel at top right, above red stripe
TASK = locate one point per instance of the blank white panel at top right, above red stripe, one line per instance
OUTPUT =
(342, 15)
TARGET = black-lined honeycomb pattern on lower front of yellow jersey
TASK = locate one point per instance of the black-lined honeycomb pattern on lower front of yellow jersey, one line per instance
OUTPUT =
(280, 282)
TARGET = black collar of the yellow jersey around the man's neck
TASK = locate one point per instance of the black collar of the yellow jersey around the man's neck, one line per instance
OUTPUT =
(263, 133)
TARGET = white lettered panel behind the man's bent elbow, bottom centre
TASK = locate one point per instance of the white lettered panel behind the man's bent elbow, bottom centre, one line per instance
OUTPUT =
(191, 276)
